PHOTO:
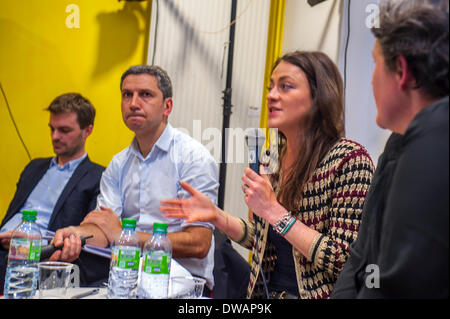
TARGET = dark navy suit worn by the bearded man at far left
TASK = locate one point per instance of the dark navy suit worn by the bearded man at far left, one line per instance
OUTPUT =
(77, 199)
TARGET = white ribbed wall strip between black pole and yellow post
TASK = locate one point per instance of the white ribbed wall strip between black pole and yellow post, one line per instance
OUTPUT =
(248, 81)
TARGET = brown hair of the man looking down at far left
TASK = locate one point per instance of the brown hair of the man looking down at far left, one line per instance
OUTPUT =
(76, 103)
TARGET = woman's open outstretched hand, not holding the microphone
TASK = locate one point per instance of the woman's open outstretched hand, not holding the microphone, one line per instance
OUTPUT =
(198, 208)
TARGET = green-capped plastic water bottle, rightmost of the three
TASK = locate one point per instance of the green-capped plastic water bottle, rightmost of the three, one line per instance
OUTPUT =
(154, 282)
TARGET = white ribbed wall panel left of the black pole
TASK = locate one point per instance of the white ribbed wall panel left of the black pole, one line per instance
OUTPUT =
(192, 58)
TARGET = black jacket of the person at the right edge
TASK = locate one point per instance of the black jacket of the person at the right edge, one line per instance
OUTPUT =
(402, 247)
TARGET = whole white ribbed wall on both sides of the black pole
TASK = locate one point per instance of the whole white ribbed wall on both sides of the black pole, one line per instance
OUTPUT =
(189, 47)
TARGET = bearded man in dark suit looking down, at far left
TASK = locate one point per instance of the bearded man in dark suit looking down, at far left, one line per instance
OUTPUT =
(63, 189)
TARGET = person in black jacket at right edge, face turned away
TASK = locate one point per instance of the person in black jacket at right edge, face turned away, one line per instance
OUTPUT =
(402, 246)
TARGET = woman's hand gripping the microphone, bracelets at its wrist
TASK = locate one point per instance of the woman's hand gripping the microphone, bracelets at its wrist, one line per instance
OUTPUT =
(259, 195)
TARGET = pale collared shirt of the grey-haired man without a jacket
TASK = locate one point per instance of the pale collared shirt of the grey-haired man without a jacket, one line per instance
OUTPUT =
(133, 186)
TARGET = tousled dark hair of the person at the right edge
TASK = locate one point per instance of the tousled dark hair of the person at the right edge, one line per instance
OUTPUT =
(417, 30)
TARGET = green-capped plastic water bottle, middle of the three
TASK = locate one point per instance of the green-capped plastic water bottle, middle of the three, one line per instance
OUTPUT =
(124, 270)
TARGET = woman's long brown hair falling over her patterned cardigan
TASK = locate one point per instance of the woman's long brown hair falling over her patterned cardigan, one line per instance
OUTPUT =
(323, 125)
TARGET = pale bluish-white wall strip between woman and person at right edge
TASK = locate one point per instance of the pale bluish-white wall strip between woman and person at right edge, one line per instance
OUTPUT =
(357, 62)
